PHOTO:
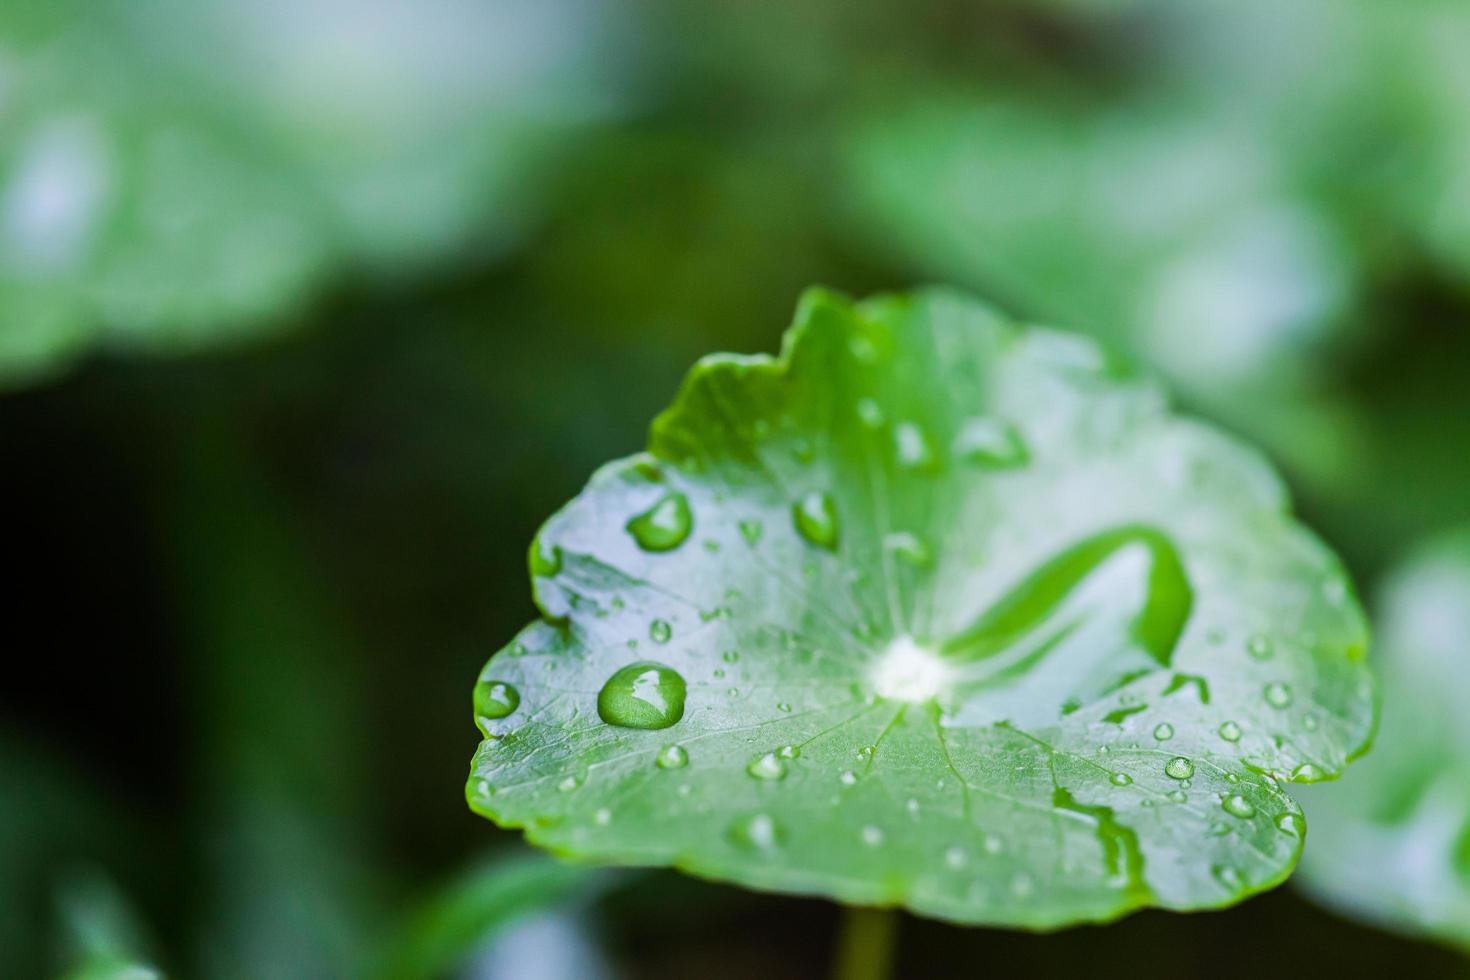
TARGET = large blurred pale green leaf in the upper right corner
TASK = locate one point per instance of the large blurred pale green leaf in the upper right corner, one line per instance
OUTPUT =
(1224, 192)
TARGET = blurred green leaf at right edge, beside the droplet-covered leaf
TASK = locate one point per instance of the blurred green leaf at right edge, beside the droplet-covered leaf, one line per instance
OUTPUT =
(1393, 844)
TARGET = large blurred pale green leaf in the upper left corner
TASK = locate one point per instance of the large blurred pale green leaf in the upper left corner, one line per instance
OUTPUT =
(179, 176)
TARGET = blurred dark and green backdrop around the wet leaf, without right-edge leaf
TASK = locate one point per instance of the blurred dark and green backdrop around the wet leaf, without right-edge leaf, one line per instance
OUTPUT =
(312, 311)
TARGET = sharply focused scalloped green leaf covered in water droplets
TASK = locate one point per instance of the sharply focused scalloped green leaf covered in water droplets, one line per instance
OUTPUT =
(965, 622)
